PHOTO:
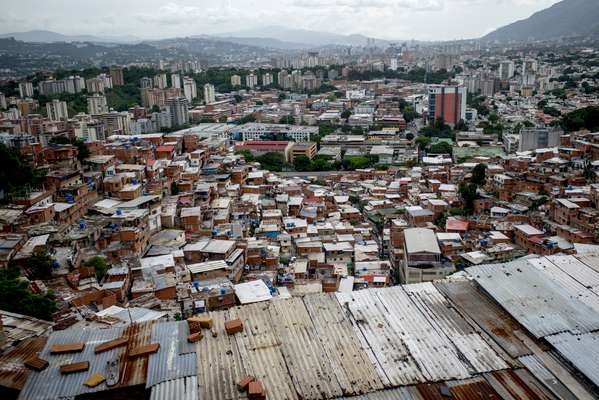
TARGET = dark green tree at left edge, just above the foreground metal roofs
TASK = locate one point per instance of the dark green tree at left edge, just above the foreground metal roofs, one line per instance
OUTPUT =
(16, 297)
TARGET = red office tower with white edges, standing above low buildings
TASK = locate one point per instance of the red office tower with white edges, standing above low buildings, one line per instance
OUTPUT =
(447, 102)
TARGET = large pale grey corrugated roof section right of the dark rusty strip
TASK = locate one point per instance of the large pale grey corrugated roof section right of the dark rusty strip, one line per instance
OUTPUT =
(539, 303)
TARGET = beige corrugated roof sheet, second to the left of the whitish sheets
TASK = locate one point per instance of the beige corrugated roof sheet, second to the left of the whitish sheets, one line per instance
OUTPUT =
(304, 355)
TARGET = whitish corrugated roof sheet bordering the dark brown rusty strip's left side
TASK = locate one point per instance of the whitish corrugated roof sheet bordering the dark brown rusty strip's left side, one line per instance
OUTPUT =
(441, 314)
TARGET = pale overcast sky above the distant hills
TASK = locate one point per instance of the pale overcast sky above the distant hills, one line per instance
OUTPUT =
(385, 19)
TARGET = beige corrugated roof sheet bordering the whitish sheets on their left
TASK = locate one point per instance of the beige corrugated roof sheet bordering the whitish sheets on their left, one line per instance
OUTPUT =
(348, 357)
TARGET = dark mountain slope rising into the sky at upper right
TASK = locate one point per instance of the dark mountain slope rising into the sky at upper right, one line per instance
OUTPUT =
(564, 19)
